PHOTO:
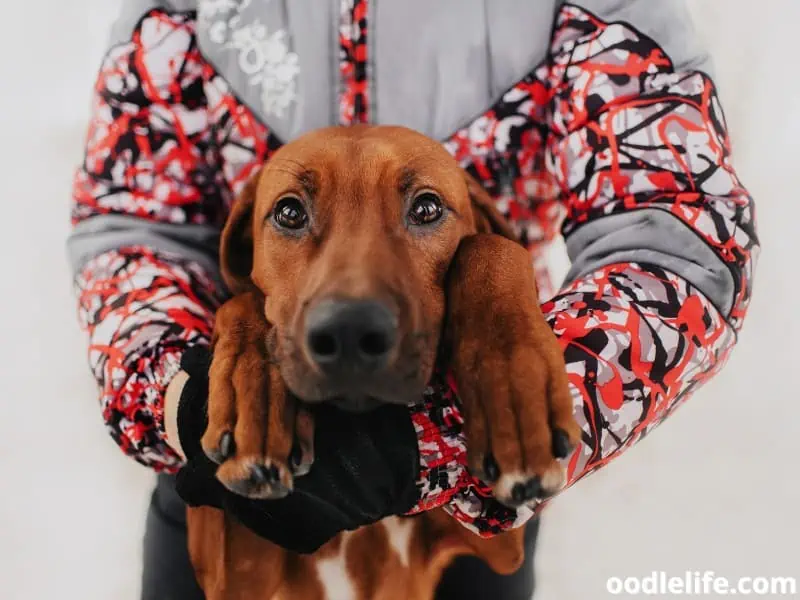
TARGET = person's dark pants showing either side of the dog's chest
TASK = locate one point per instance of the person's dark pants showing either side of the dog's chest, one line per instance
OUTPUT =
(168, 573)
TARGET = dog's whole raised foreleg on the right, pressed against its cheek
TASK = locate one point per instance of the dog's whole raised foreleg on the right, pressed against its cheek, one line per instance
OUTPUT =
(510, 372)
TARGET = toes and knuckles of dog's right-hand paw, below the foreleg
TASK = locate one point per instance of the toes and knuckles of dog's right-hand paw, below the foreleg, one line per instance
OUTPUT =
(518, 422)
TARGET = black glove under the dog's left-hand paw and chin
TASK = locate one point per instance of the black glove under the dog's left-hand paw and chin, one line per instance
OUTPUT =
(365, 469)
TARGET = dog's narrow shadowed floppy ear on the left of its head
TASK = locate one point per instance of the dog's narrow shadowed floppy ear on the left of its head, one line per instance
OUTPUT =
(236, 244)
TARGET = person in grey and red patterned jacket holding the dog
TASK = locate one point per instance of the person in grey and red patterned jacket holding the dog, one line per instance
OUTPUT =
(597, 117)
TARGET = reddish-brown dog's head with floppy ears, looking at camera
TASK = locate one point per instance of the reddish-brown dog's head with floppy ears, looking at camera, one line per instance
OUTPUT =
(349, 233)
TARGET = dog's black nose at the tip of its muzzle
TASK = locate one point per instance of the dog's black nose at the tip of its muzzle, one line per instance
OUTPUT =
(350, 336)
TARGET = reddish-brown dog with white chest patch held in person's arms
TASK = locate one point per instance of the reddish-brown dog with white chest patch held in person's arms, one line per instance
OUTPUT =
(356, 256)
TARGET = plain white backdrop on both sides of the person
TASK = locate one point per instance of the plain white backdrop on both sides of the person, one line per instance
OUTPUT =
(716, 488)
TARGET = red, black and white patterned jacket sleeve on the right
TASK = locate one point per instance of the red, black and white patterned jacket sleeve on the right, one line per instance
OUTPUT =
(659, 229)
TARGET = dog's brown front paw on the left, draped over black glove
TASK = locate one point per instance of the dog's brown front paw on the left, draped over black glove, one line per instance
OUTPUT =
(257, 433)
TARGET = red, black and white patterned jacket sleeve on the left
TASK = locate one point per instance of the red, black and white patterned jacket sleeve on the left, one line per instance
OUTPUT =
(147, 208)
